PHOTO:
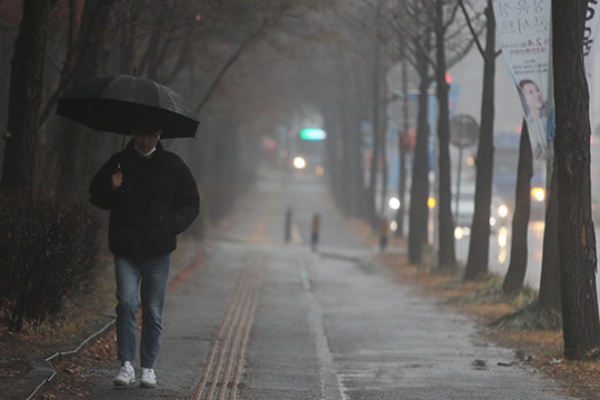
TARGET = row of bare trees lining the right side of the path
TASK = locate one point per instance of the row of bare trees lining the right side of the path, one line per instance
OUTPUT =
(429, 37)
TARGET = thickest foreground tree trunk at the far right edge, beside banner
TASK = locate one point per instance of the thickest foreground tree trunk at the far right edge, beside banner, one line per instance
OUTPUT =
(577, 241)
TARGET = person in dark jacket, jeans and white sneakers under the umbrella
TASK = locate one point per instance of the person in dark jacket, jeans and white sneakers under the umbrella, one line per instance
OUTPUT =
(152, 197)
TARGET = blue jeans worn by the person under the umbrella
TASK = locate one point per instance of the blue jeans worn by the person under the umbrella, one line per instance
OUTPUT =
(151, 278)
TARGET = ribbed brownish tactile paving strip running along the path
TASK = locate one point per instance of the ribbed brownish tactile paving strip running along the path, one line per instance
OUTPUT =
(224, 365)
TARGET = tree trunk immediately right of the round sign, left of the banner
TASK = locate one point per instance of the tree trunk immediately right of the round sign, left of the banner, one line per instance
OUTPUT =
(479, 242)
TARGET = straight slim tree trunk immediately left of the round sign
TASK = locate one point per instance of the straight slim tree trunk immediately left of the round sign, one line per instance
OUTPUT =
(447, 251)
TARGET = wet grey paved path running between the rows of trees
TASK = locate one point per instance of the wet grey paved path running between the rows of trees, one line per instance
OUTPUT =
(262, 319)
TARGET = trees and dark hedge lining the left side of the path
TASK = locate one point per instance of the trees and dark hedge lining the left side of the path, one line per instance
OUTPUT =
(204, 49)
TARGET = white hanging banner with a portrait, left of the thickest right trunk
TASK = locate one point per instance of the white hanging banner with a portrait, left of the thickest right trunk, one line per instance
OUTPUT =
(524, 32)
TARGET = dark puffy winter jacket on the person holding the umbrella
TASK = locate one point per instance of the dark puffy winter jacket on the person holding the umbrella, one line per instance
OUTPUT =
(157, 200)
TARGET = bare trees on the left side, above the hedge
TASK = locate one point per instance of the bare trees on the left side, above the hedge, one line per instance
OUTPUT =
(201, 48)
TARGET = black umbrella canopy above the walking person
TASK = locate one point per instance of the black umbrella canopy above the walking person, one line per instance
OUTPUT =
(116, 103)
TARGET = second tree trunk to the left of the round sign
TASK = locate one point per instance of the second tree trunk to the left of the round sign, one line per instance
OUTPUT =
(419, 190)
